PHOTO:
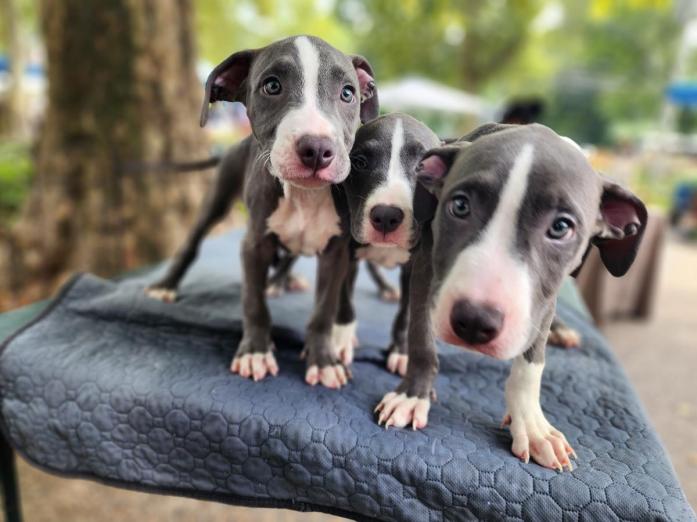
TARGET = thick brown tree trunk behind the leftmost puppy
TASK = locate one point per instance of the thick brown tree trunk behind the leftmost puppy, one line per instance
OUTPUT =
(122, 89)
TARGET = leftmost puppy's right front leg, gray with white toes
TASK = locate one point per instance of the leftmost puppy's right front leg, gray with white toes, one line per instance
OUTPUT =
(323, 364)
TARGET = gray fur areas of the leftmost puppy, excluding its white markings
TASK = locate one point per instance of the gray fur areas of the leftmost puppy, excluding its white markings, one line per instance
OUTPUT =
(246, 171)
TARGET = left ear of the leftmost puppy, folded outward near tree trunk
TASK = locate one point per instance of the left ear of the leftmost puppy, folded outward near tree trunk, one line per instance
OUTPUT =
(227, 82)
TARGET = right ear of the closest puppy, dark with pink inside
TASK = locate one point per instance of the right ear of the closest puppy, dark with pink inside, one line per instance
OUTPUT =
(620, 228)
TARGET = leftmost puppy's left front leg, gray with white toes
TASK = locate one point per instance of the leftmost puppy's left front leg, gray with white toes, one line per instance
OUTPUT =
(254, 357)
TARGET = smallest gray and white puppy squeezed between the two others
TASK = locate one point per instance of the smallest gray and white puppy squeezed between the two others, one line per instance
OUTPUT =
(380, 193)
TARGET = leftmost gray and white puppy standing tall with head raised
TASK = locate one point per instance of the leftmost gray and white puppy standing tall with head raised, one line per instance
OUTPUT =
(305, 100)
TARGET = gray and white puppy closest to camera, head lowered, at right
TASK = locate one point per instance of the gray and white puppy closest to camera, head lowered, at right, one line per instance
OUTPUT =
(509, 211)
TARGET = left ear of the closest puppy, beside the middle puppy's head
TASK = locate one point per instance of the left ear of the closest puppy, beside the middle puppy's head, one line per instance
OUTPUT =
(430, 176)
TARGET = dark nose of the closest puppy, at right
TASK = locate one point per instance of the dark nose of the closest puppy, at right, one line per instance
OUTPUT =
(475, 324)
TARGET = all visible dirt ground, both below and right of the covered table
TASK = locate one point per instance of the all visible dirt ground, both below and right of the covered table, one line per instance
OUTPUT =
(660, 357)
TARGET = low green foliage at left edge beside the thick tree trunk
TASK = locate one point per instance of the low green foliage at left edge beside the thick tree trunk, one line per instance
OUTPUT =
(16, 171)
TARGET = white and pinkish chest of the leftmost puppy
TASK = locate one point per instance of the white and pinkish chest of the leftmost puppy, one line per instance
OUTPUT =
(305, 220)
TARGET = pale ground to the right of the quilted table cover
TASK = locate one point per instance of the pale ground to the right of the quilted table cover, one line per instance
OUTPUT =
(660, 357)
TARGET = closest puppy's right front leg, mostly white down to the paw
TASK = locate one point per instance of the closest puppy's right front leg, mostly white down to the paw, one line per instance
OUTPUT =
(533, 436)
